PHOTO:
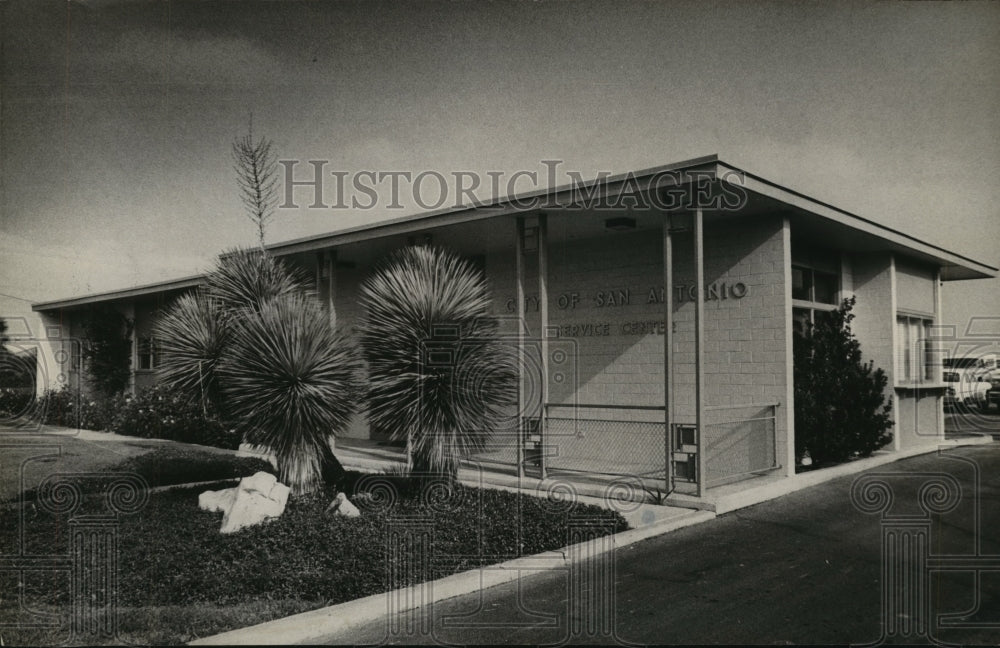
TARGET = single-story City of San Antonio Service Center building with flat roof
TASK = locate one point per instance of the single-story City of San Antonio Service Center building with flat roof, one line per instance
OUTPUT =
(654, 315)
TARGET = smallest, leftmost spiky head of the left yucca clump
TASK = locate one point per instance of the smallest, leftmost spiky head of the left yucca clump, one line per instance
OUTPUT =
(192, 337)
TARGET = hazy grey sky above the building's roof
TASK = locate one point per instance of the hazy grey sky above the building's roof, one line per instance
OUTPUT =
(116, 119)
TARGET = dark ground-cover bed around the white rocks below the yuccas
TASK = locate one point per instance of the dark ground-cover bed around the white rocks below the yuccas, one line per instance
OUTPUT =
(180, 579)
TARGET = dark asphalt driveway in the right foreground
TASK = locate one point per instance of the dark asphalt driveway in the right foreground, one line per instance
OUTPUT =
(806, 568)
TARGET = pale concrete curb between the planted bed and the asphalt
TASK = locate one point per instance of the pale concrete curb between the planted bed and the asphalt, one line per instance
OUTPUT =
(310, 627)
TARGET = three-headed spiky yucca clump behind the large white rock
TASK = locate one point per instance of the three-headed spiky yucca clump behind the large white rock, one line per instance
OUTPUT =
(267, 357)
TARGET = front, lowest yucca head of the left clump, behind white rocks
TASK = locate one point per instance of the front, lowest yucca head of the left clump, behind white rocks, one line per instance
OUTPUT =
(290, 379)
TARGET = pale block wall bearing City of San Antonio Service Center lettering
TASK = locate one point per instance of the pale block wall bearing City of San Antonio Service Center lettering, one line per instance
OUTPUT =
(605, 306)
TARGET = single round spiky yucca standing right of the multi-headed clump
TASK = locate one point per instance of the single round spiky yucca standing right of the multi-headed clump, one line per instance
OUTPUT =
(439, 376)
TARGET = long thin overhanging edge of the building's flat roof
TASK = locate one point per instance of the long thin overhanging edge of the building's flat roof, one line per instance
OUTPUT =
(955, 266)
